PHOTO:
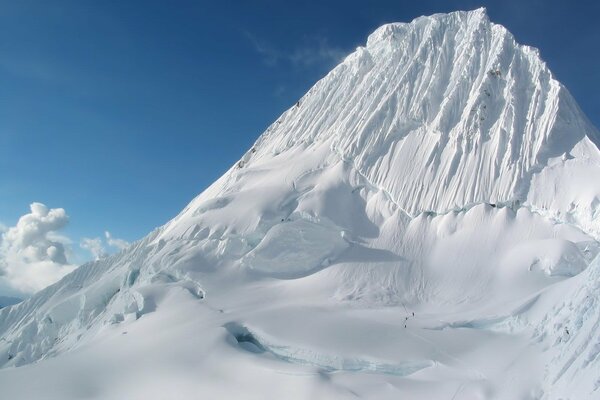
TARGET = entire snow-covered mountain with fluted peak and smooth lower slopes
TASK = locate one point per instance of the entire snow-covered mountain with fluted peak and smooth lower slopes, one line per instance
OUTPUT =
(423, 223)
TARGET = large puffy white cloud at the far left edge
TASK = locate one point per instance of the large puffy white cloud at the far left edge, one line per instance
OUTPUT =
(32, 254)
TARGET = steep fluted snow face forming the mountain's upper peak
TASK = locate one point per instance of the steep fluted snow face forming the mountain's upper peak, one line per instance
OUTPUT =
(442, 112)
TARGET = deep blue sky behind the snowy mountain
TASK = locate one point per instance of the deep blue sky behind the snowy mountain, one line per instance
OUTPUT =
(122, 111)
